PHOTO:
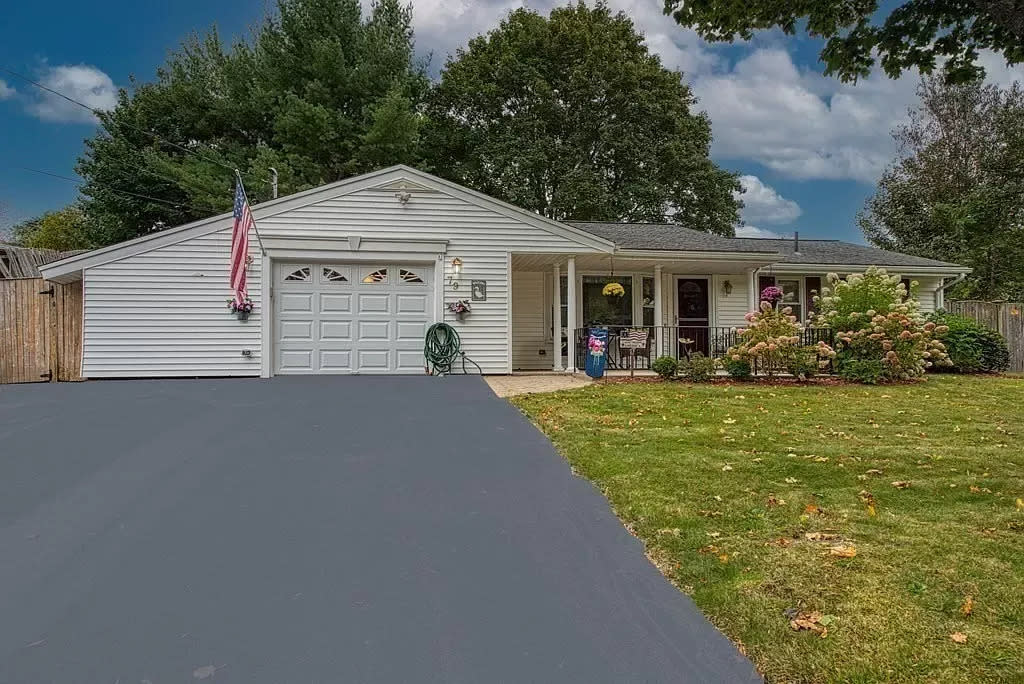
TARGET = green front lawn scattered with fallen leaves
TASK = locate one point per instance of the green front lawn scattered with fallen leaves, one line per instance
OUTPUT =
(728, 486)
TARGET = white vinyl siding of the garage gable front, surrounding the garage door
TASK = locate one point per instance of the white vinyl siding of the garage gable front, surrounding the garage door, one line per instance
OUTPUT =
(163, 313)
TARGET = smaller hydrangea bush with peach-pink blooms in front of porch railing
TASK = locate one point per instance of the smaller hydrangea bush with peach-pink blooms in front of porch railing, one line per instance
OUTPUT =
(773, 343)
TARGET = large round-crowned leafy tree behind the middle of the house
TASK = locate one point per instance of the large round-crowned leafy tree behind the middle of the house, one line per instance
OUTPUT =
(571, 116)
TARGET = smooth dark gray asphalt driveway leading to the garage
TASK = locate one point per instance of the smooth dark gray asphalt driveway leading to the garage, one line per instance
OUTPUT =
(319, 530)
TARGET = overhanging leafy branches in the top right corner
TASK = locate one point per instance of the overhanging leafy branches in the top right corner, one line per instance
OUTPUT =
(914, 34)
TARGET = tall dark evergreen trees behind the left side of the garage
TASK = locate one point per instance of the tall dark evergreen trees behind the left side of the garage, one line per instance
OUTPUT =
(319, 93)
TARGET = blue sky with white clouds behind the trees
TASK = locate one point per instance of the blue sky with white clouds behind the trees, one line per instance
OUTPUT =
(809, 149)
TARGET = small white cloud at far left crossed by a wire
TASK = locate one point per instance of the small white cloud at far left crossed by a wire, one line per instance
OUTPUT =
(87, 84)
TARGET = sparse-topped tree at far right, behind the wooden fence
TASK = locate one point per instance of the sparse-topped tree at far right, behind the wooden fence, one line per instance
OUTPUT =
(957, 191)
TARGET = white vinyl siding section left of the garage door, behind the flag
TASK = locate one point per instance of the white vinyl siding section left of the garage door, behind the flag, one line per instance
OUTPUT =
(164, 314)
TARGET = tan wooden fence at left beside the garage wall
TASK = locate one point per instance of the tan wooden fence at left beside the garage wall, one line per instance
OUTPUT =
(40, 331)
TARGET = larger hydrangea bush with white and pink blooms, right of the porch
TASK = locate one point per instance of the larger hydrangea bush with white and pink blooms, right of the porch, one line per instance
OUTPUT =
(876, 321)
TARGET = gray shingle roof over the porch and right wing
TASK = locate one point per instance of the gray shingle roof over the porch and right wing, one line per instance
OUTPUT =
(675, 238)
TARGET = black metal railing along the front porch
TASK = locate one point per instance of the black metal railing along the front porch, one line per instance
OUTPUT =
(675, 341)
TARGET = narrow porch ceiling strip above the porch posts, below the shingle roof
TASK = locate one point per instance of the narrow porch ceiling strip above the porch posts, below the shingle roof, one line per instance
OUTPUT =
(696, 265)
